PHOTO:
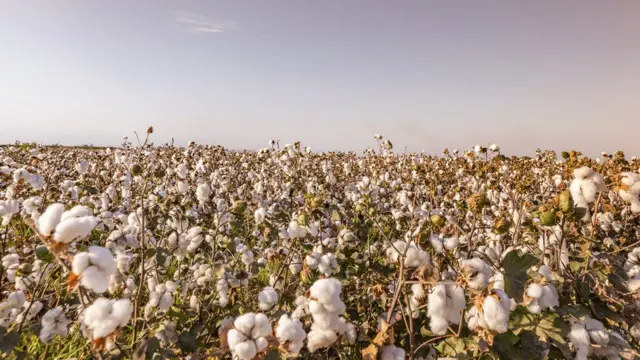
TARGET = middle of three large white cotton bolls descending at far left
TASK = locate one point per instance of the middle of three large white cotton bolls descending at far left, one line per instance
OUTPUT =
(94, 268)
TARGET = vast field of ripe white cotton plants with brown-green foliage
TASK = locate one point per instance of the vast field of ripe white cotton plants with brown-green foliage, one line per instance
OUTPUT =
(198, 252)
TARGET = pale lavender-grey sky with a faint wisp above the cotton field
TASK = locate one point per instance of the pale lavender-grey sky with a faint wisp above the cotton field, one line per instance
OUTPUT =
(331, 73)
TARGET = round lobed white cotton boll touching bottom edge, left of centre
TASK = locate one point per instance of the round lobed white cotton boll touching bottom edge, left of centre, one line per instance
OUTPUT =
(249, 335)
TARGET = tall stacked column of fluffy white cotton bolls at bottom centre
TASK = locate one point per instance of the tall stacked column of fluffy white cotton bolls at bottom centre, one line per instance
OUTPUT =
(325, 307)
